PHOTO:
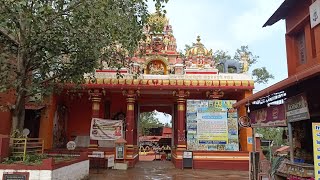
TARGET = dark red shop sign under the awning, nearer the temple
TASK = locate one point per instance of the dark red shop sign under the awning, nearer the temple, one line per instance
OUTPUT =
(273, 116)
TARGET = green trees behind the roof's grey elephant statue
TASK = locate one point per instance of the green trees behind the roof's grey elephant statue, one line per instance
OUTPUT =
(261, 75)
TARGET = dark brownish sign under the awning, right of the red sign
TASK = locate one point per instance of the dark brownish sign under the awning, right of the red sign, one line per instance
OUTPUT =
(297, 108)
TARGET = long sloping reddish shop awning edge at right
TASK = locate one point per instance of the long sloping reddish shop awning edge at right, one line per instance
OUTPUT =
(299, 77)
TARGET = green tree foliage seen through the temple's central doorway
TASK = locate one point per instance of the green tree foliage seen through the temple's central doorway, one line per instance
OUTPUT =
(148, 120)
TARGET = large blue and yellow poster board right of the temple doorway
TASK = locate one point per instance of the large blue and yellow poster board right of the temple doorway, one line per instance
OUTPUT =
(212, 125)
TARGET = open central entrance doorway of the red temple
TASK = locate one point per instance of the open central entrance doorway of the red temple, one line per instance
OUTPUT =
(155, 131)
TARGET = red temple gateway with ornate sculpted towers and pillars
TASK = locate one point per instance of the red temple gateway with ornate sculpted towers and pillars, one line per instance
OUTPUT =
(190, 88)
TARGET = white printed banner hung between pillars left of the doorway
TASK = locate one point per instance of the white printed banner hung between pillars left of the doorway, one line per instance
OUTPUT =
(102, 129)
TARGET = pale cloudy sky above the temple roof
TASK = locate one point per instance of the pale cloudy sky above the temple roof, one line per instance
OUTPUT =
(229, 24)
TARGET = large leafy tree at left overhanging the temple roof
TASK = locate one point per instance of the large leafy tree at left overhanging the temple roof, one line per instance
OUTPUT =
(58, 41)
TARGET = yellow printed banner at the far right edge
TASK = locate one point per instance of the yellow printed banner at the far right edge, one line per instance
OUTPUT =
(316, 149)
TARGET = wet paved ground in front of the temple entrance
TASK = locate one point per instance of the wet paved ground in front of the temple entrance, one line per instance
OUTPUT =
(164, 170)
